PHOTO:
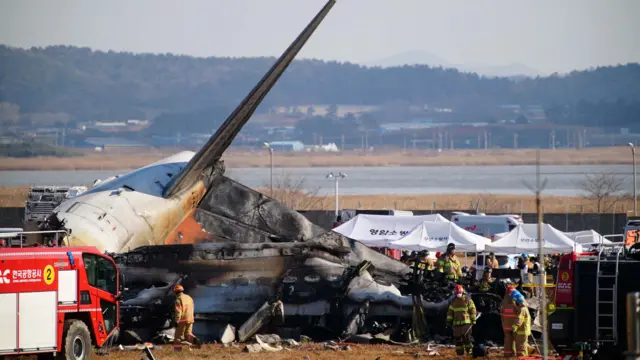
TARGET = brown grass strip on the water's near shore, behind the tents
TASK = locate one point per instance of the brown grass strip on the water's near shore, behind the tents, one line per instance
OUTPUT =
(308, 200)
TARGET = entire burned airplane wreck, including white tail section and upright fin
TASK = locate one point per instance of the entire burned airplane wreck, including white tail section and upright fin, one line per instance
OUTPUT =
(246, 259)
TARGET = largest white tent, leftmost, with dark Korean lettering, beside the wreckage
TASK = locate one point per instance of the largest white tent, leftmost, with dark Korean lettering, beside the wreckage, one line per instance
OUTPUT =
(379, 230)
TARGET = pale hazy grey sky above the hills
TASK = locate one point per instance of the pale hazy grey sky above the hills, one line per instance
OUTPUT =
(548, 35)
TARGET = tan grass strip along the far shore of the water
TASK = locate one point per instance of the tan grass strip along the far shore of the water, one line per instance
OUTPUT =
(131, 160)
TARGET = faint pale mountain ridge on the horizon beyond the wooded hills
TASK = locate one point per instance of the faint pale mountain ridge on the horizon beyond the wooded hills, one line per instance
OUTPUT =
(426, 58)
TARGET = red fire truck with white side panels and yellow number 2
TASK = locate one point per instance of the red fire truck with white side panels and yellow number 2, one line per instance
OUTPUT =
(57, 300)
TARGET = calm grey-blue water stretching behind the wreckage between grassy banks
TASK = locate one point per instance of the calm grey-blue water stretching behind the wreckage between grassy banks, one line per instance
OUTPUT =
(562, 180)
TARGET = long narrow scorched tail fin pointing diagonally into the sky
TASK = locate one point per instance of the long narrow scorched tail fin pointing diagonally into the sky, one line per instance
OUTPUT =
(212, 151)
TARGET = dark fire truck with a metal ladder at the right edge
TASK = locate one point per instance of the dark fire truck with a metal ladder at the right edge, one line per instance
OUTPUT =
(590, 300)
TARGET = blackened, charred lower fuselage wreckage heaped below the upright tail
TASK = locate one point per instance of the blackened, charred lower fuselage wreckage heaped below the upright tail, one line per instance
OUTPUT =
(261, 266)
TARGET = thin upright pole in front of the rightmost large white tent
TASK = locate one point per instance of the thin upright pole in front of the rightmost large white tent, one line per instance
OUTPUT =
(543, 300)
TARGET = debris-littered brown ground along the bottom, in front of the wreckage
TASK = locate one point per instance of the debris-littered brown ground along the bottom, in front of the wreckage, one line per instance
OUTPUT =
(303, 352)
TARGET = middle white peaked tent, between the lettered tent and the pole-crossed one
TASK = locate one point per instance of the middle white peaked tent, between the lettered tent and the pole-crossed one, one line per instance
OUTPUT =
(435, 236)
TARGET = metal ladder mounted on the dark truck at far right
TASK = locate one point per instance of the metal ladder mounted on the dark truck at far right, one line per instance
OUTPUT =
(607, 295)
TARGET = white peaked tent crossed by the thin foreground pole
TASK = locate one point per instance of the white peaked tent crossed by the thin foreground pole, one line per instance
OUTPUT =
(524, 239)
